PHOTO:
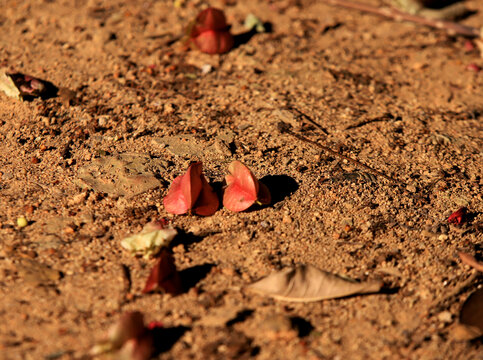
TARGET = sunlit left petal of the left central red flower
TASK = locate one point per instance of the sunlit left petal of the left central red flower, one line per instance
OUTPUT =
(184, 191)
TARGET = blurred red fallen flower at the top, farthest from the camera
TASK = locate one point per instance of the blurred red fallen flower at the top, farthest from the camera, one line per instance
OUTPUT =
(210, 33)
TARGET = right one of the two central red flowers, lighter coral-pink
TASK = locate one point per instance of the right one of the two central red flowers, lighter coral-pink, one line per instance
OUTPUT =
(243, 189)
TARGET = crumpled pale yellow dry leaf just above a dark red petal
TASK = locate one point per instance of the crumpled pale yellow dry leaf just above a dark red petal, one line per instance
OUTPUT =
(150, 240)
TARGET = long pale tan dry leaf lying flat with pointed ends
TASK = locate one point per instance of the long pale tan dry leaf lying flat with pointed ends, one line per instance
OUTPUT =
(306, 283)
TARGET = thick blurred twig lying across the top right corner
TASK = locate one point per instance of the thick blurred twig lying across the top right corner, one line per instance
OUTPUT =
(450, 27)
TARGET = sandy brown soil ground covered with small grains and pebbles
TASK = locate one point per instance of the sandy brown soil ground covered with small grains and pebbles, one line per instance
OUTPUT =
(396, 96)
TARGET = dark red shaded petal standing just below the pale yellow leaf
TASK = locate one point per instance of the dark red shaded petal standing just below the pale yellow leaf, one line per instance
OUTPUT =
(164, 276)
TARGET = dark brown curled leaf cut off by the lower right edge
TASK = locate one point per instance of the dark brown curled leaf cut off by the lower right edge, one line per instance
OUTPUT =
(471, 318)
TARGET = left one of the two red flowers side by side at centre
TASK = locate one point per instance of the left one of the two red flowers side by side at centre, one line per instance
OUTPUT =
(191, 193)
